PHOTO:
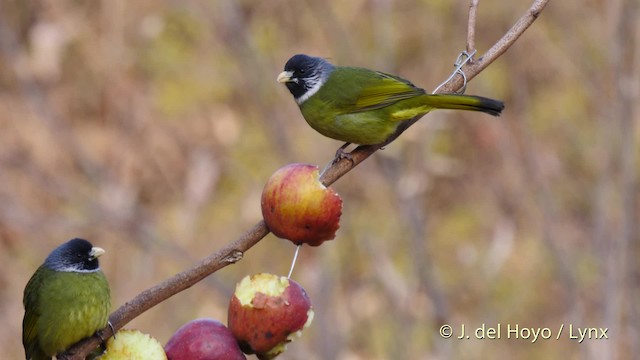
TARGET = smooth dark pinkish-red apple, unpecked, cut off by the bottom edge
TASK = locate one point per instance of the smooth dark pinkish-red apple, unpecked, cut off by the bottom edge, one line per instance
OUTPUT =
(203, 339)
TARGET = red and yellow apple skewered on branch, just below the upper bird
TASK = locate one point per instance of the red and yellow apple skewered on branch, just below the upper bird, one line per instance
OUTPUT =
(296, 206)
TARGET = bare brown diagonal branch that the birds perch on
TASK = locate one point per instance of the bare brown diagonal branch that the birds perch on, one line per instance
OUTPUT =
(235, 250)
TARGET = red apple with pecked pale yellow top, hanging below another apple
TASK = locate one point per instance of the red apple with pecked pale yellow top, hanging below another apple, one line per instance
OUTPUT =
(266, 312)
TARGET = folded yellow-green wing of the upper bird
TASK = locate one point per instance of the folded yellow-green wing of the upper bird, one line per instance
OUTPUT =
(381, 89)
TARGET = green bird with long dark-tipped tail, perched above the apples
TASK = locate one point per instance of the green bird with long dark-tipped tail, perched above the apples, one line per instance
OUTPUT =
(363, 106)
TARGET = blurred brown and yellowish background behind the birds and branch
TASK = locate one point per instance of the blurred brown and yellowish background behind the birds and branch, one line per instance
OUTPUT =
(150, 127)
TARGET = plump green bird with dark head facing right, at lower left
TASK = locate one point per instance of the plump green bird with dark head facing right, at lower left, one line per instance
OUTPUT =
(67, 299)
